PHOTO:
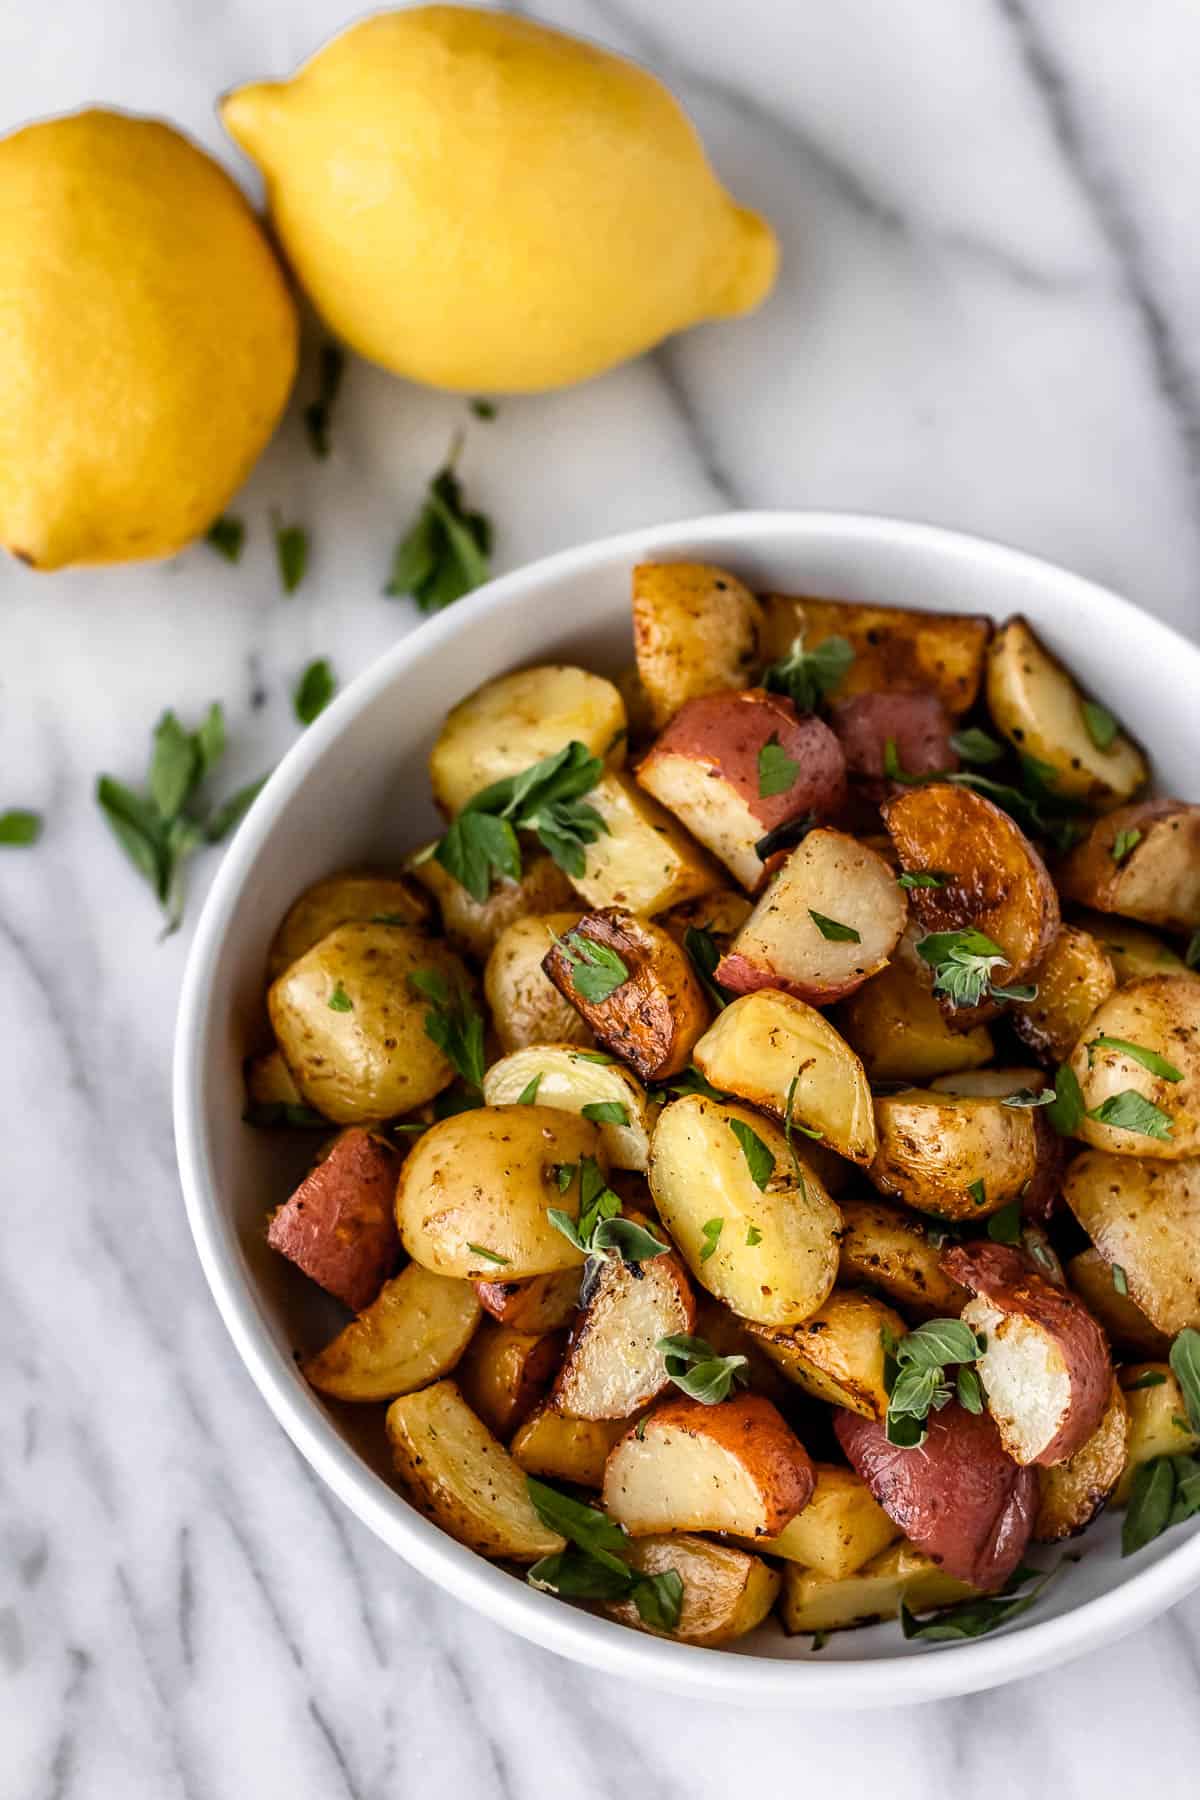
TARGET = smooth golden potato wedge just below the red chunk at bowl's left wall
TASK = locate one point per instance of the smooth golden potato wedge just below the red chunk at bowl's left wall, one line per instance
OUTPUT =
(415, 1331)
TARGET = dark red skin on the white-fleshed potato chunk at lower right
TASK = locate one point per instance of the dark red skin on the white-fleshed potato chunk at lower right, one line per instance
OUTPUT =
(1005, 1279)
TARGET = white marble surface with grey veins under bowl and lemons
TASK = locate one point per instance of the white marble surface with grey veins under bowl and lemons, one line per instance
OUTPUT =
(989, 316)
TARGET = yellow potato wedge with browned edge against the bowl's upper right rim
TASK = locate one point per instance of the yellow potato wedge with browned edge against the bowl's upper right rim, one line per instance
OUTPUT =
(1039, 708)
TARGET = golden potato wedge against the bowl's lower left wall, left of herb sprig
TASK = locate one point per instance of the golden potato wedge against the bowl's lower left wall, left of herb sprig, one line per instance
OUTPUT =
(456, 1473)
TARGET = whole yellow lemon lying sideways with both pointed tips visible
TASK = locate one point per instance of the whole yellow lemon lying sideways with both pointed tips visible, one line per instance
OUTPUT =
(485, 204)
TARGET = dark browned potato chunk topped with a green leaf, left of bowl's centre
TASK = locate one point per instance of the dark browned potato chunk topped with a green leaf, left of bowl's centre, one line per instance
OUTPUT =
(650, 1009)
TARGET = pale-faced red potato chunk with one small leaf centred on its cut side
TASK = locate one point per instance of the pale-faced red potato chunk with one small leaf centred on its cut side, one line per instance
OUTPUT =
(798, 940)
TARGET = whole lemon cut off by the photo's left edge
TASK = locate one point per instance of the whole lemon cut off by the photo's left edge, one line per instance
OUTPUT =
(148, 341)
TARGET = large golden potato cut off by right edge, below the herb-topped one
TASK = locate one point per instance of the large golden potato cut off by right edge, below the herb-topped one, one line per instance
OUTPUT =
(1145, 1221)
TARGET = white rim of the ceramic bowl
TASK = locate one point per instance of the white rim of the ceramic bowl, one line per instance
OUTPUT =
(598, 1642)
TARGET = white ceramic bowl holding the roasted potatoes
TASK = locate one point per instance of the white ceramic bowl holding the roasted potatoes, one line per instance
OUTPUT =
(355, 789)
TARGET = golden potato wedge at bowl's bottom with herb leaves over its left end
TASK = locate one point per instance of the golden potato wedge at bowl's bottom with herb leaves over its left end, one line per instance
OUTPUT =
(726, 1590)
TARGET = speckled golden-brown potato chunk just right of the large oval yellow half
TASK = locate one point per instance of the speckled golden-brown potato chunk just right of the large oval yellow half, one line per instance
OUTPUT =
(953, 1156)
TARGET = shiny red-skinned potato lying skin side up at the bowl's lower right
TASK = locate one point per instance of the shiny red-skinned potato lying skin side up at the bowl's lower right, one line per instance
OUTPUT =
(960, 1497)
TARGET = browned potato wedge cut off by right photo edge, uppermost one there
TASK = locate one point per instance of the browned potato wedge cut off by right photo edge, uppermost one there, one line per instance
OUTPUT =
(1142, 861)
